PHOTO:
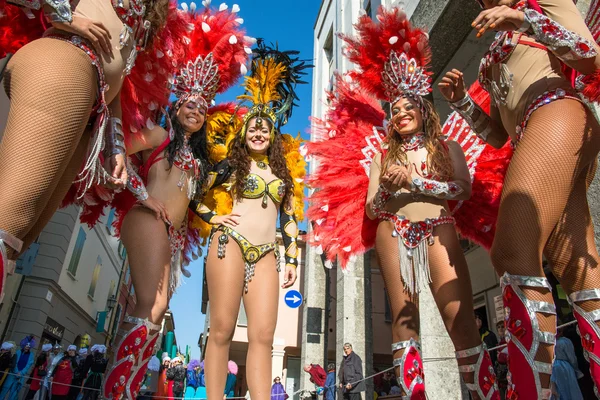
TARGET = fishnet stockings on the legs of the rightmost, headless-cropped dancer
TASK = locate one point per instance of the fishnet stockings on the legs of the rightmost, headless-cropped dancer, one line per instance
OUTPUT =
(541, 179)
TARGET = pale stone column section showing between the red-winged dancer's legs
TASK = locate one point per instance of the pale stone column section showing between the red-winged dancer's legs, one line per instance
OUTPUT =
(442, 379)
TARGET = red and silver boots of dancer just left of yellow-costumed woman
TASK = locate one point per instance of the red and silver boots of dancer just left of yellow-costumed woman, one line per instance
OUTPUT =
(133, 346)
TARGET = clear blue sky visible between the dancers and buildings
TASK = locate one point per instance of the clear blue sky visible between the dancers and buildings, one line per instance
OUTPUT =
(290, 25)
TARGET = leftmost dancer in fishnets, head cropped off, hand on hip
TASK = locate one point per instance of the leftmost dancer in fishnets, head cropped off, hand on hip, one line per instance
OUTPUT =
(94, 45)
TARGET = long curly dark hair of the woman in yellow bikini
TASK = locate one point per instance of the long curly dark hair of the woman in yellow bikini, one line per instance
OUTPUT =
(239, 159)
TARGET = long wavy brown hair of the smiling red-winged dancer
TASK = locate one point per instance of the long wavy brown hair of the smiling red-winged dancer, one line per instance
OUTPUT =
(439, 162)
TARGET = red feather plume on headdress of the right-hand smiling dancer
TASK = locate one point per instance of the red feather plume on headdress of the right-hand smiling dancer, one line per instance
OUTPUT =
(374, 42)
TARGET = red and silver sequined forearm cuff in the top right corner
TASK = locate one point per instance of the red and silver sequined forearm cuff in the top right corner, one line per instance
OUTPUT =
(558, 38)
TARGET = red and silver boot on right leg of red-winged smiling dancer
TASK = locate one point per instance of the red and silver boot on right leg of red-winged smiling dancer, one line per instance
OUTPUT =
(484, 376)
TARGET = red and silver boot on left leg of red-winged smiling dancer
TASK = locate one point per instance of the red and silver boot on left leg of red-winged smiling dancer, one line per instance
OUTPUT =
(411, 378)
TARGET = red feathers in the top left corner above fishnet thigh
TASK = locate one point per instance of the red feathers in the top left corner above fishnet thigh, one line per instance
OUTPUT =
(17, 29)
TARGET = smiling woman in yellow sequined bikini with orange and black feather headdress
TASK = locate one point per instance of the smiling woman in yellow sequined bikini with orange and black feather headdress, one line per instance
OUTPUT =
(244, 253)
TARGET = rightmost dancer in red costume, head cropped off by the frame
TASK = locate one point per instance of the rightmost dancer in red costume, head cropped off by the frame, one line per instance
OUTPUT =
(535, 105)
